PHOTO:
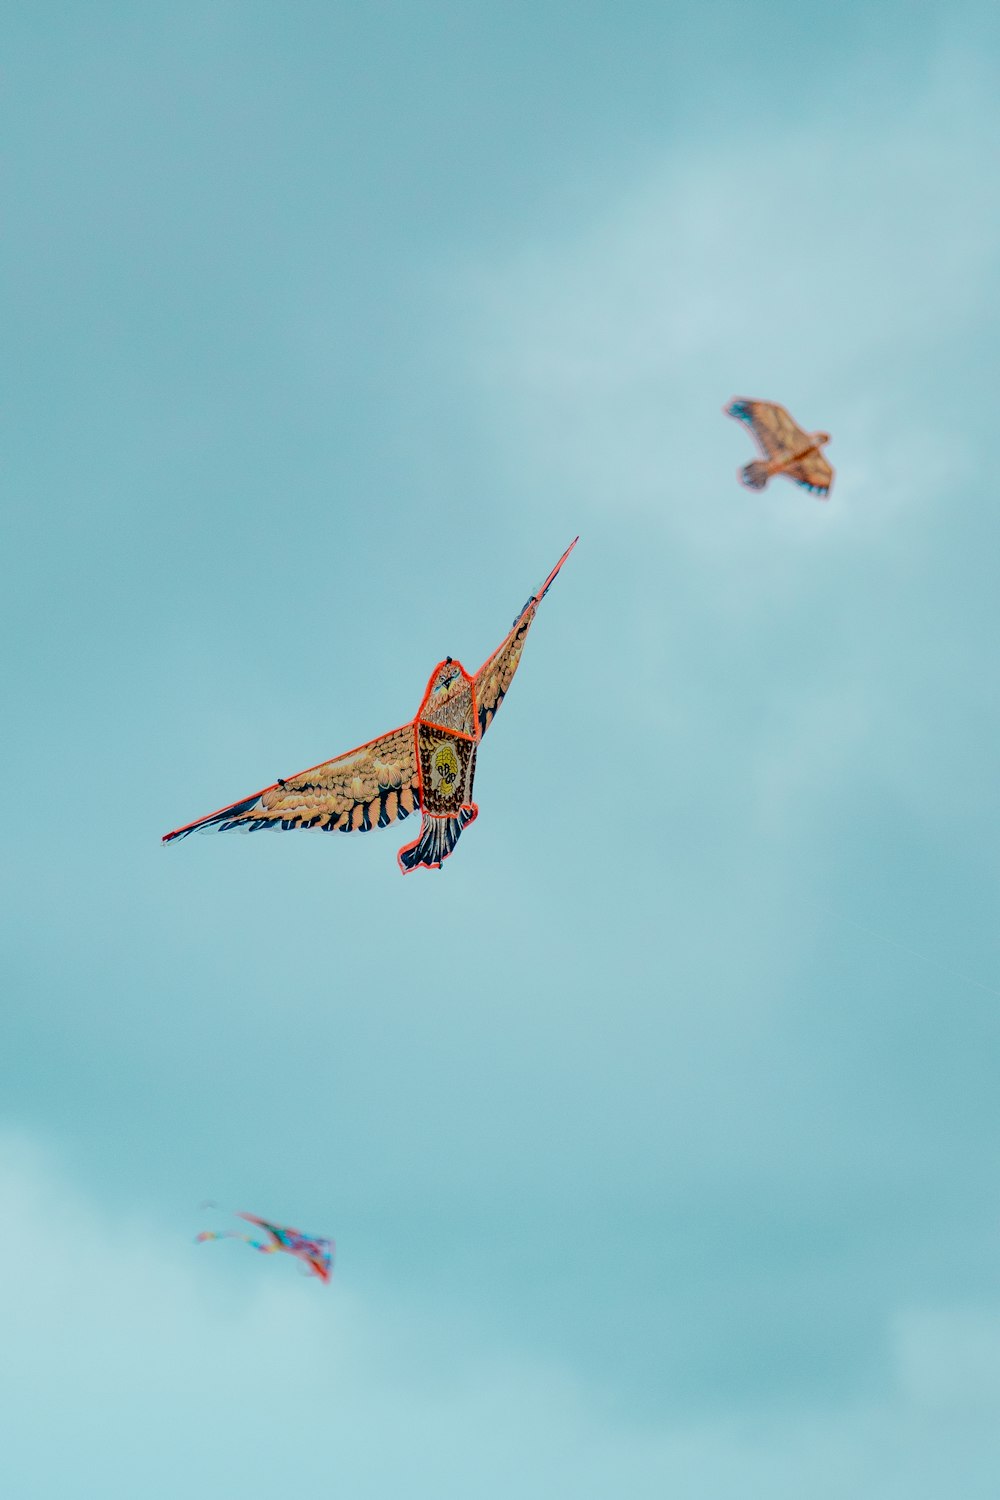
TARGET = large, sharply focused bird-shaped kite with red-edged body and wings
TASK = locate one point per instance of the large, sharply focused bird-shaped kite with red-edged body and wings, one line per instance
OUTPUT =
(428, 764)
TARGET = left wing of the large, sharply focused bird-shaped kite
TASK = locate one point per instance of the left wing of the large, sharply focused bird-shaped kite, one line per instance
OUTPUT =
(367, 788)
